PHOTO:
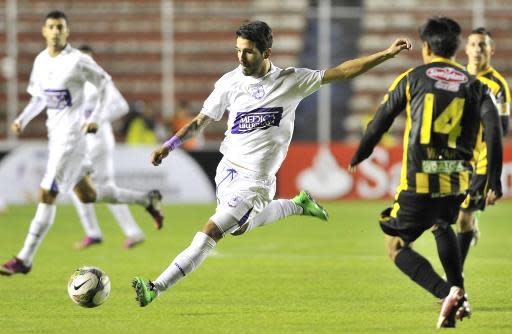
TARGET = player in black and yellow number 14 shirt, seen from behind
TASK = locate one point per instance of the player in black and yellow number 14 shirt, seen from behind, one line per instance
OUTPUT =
(444, 108)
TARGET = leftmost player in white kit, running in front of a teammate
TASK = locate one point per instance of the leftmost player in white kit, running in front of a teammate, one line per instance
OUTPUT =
(57, 84)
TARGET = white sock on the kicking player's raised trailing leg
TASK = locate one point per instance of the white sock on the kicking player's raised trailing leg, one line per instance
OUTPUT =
(275, 210)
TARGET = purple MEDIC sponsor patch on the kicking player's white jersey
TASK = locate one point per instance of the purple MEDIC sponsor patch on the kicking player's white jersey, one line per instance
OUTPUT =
(261, 118)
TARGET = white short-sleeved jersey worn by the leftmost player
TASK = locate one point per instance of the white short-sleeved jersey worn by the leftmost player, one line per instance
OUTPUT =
(59, 81)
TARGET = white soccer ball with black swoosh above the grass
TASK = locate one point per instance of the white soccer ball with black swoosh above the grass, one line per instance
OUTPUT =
(89, 286)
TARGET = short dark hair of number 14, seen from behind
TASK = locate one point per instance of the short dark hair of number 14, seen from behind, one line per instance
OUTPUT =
(442, 35)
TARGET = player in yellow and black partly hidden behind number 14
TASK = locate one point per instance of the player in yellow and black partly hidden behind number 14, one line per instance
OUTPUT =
(480, 48)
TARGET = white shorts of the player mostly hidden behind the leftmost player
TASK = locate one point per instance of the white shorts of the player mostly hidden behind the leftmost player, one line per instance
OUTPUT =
(100, 151)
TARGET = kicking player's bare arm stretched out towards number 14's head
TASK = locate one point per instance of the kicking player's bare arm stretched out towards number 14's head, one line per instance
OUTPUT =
(352, 68)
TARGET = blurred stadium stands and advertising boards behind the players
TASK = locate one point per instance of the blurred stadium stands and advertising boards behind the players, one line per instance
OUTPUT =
(165, 56)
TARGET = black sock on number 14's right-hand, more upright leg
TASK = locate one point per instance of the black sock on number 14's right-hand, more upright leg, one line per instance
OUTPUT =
(448, 250)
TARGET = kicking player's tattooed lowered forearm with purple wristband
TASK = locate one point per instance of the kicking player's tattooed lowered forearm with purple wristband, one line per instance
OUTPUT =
(190, 130)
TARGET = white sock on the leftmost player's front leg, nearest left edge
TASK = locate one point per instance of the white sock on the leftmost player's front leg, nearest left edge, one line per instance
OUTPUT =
(43, 220)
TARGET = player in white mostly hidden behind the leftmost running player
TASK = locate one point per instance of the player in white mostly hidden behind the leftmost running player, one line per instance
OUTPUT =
(100, 150)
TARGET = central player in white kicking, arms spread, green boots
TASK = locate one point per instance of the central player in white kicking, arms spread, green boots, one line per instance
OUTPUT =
(261, 100)
